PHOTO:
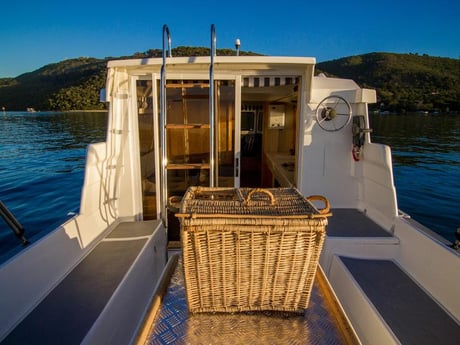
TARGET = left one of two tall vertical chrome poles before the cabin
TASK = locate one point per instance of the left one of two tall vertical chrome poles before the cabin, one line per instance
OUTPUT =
(164, 175)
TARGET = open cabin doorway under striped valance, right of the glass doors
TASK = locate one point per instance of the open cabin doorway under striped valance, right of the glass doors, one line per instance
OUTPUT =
(269, 121)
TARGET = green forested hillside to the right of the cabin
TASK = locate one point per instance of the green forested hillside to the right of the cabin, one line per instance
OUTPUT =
(404, 82)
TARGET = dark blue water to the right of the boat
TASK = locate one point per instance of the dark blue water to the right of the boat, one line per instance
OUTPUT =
(426, 162)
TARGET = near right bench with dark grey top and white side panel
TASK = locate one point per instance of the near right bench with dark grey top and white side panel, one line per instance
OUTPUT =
(380, 295)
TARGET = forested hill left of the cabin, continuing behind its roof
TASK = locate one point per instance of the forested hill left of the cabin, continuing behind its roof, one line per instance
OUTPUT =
(74, 84)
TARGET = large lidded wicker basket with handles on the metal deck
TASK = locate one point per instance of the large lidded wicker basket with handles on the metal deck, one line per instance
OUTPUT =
(250, 249)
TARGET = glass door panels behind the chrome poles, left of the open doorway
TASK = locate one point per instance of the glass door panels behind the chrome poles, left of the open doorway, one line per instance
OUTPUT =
(187, 140)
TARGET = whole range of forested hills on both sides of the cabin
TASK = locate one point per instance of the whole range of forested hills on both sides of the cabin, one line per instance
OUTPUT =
(404, 82)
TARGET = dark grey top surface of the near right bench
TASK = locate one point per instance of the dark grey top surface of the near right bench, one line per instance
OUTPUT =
(413, 315)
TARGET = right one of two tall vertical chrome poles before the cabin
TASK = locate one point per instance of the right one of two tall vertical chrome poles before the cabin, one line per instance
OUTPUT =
(211, 110)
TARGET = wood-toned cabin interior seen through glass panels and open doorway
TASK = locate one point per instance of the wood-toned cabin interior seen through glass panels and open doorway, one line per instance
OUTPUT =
(255, 143)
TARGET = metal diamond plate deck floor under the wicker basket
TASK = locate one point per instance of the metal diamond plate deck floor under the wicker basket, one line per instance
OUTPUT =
(174, 325)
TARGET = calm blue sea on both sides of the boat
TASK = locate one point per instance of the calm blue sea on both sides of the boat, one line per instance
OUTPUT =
(42, 160)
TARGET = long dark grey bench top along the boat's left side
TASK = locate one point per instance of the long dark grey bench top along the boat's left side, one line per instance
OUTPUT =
(69, 312)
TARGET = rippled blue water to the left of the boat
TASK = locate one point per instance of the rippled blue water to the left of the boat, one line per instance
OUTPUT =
(42, 161)
